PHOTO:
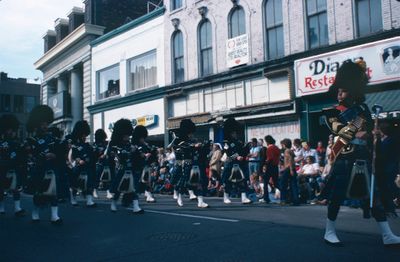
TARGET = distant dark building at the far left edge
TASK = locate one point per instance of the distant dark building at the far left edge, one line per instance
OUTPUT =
(18, 97)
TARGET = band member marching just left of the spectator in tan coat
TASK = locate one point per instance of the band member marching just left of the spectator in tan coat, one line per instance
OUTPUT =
(187, 173)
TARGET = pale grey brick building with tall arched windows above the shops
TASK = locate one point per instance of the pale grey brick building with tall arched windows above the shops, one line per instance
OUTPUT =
(245, 58)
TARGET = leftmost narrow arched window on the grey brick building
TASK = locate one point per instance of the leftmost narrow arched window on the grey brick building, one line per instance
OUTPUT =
(177, 54)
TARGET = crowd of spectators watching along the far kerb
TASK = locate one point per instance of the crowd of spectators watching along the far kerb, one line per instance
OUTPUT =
(294, 173)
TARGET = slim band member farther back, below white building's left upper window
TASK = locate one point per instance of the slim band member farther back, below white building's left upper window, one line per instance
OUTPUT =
(103, 168)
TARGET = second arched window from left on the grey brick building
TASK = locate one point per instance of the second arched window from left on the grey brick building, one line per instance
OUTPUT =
(205, 43)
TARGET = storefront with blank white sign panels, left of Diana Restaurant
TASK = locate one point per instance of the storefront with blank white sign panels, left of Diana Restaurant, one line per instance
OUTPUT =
(262, 102)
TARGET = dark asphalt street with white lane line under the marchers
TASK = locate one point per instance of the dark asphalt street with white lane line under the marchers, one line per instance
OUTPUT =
(235, 232)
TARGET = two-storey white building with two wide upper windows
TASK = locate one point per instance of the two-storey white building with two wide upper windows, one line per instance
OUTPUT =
(128, 73)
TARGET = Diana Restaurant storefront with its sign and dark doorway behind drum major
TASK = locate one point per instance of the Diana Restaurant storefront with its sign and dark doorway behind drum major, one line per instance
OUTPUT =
(314, 75)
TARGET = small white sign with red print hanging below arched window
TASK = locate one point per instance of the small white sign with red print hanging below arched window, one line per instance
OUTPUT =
(237, 51)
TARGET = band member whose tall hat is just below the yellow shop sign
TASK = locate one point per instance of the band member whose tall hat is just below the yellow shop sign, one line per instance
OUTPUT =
(145, 162)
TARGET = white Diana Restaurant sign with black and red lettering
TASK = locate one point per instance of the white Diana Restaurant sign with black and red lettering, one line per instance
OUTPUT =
(316, 74)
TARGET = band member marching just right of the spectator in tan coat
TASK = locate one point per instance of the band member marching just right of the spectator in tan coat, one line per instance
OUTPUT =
(233, 175)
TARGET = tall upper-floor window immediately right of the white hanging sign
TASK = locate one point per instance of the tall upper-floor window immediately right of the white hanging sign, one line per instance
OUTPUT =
(274, 28)
